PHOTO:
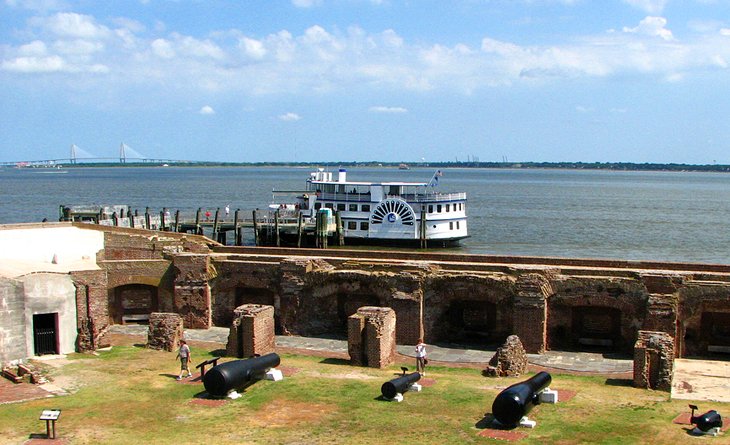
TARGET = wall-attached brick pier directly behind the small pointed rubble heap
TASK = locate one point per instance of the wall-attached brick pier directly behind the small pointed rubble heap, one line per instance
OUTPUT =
(530, 311)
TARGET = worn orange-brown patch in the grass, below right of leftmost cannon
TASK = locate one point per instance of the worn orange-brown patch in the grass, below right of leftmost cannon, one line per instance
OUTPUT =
(281, 413)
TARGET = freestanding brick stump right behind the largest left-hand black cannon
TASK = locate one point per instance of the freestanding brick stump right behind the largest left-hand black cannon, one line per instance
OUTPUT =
(252, 331)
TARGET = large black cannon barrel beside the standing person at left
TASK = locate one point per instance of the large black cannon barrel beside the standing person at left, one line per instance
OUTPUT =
(221, 379)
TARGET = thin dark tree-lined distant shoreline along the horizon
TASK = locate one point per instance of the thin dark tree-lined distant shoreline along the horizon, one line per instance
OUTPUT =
(615, 166)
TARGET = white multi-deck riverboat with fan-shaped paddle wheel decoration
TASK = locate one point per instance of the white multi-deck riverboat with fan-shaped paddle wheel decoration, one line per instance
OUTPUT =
(380, 212)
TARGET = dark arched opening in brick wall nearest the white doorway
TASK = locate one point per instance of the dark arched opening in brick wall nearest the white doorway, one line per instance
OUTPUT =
(133, 303)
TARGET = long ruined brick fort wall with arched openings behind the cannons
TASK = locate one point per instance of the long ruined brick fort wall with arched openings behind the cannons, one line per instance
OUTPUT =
(477, 300)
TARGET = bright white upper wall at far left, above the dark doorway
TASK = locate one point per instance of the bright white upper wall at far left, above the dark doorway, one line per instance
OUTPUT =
(40, 244)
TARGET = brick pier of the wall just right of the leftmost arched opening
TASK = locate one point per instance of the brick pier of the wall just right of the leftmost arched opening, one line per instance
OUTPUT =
(191, 297)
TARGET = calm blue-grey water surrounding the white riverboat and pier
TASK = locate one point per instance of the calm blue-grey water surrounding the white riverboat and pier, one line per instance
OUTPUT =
(588, 214)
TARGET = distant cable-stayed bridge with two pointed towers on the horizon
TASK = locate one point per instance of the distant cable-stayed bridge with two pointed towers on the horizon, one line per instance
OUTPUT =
(80, 156)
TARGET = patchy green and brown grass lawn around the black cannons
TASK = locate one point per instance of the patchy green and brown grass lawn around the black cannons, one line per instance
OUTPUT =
(129, 395)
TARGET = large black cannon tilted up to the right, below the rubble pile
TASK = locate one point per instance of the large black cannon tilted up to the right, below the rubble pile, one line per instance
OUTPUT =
(517, 400)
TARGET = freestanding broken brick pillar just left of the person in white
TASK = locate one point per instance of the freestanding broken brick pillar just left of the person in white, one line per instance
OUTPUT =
(371, 337)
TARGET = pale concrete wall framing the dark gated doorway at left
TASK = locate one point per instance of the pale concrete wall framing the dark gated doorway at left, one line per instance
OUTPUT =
(47, 293)
